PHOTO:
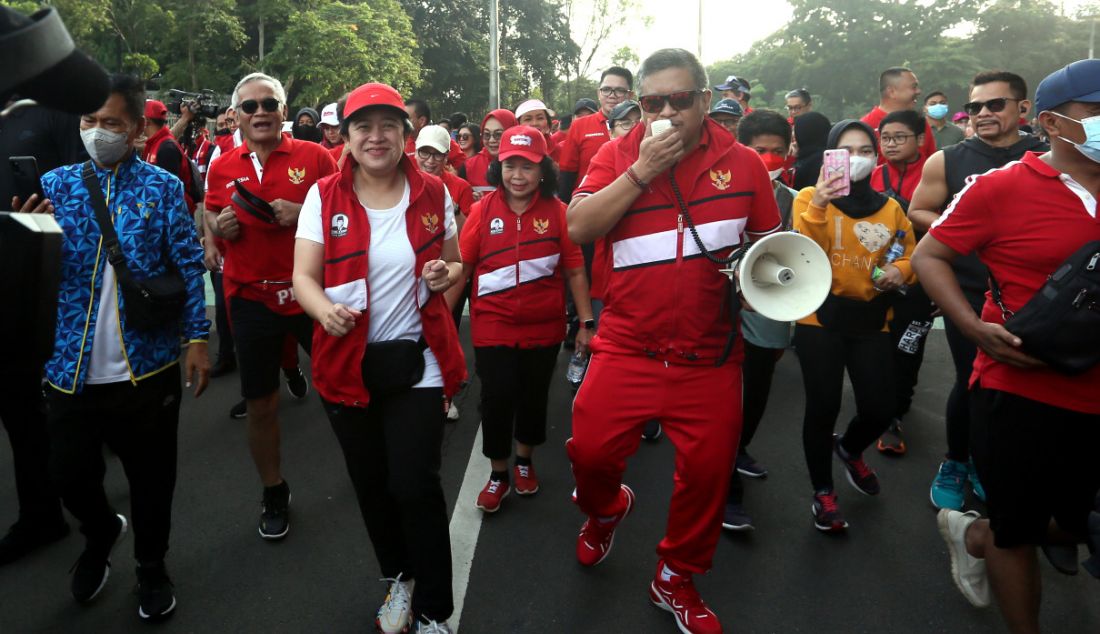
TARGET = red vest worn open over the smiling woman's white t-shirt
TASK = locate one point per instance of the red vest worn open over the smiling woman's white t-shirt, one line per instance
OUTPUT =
(337, 360)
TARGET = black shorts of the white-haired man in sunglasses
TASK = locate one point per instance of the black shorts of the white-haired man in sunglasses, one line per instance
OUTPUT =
(259, 333)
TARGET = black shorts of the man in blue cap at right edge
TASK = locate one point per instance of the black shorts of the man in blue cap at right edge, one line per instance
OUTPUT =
(1037, 463)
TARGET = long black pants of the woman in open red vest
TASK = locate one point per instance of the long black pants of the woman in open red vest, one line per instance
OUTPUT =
(393, 452)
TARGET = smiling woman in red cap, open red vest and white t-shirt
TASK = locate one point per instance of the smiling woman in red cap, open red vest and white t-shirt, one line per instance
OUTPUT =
(377, 249)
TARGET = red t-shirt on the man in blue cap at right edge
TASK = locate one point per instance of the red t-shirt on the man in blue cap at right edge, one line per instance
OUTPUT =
(1025, 221)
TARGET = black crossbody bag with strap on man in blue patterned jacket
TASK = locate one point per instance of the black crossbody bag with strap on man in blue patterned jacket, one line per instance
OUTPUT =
(152, 303)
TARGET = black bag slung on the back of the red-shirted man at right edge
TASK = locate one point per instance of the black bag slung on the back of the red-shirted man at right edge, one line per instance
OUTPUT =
(1061, 324)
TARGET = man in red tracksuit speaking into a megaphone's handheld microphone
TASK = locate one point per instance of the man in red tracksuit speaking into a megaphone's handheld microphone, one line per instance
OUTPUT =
(669, 206)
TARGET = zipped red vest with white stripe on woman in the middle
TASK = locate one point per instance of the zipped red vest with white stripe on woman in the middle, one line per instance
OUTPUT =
(519, 297)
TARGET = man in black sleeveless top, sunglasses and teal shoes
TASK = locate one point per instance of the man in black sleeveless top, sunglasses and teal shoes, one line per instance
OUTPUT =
(998, 101)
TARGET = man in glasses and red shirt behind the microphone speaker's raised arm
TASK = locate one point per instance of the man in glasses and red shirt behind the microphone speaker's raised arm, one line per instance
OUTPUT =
(587, 135)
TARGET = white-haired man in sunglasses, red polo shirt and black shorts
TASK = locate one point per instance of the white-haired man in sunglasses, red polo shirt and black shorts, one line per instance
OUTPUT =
(255, 195)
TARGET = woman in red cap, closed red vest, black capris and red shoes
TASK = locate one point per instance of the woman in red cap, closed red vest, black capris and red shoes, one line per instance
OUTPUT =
(515, 245)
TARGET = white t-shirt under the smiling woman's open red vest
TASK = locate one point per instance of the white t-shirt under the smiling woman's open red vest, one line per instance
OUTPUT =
(394, 313)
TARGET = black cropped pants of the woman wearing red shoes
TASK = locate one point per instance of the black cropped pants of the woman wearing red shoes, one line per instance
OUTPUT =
(515, 388)
